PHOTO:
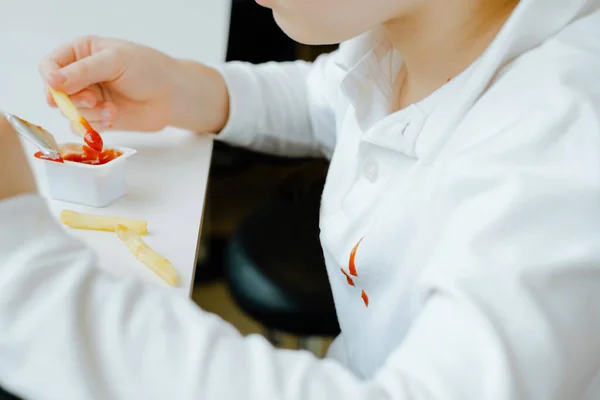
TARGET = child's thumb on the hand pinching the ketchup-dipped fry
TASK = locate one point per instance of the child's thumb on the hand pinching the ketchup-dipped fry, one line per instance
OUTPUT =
(106, 65)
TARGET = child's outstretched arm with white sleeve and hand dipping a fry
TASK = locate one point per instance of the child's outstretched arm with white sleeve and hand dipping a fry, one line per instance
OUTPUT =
(283, 108)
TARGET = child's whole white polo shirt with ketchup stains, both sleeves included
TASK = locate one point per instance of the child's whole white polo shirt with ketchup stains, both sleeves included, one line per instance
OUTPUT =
(461, 237)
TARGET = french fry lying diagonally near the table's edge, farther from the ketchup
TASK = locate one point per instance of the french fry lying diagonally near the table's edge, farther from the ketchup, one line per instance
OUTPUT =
(157, 263)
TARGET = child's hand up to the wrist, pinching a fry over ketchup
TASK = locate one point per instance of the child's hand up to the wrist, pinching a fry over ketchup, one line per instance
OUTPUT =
(116, 84)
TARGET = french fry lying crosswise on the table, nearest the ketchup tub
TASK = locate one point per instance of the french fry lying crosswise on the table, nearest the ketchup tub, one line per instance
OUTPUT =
(101, 223)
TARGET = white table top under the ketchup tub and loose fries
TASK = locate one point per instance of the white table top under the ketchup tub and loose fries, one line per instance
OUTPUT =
(167, 178)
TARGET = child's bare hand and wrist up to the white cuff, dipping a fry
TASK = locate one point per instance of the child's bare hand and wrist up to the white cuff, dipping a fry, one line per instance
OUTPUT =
(125, 86)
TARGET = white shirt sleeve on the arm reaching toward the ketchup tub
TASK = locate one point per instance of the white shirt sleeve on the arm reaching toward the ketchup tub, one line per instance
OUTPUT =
(285, 109)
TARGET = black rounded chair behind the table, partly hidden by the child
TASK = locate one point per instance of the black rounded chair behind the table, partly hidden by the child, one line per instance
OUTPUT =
(275, 267)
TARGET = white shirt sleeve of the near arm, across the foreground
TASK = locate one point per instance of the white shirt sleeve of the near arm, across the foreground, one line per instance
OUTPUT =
(510, 306)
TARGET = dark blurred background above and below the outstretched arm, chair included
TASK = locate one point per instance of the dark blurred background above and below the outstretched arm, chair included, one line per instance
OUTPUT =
(261, 211)
